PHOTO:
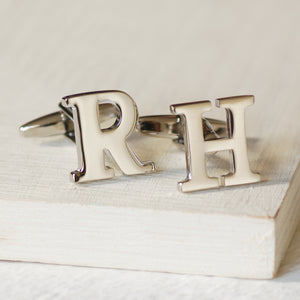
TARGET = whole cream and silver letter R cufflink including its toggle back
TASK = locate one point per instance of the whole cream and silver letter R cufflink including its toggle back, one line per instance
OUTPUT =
(86, 119)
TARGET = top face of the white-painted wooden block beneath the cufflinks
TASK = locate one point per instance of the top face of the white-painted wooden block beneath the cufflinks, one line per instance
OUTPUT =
(161, 54)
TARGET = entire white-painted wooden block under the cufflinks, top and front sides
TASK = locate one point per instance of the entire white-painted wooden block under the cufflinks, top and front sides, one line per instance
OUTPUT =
(143, 222)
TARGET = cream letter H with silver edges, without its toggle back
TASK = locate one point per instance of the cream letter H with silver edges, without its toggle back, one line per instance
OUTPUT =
(196, 146)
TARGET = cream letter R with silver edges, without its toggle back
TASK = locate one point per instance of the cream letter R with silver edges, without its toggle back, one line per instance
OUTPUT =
(93, 143)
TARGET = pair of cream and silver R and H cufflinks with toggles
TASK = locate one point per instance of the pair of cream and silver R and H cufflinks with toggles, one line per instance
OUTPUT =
(100, 123)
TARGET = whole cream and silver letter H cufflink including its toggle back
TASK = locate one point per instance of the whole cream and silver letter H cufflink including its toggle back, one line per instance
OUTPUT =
(201, 136)
